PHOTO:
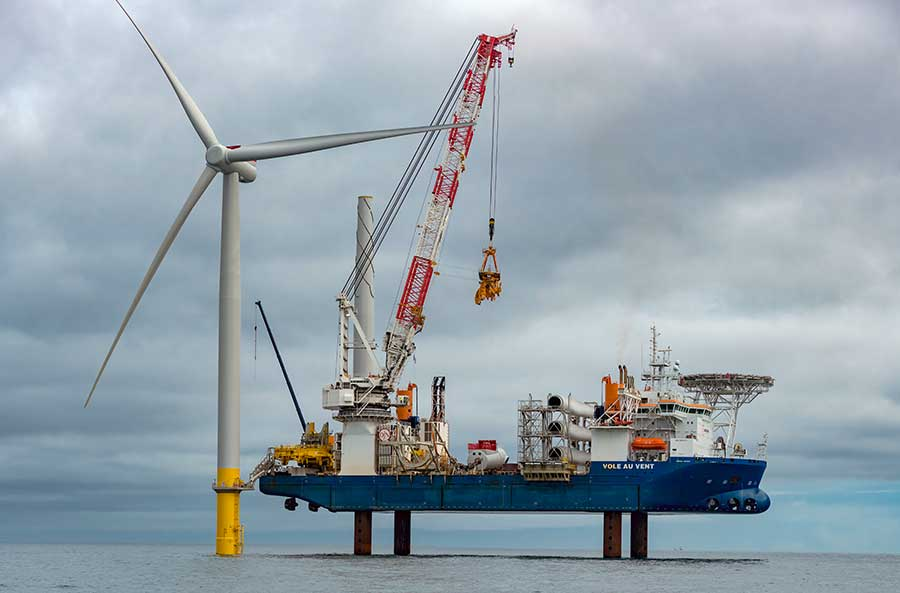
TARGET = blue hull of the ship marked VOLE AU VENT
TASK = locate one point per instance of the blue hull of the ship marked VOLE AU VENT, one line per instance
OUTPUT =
(679, 485)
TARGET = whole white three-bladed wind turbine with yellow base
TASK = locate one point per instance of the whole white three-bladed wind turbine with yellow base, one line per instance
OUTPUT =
(235, 164)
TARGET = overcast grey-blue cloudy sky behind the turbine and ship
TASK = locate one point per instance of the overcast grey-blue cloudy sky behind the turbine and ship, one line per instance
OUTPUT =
(727, 171)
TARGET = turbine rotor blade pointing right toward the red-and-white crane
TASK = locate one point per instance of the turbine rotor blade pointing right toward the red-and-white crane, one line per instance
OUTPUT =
(280, 148)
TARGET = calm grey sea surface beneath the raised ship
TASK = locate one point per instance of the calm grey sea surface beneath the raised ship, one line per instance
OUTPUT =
(127, 568)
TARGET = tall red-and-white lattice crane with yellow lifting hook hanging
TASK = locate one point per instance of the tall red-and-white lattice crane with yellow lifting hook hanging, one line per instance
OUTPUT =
(364, 397)
